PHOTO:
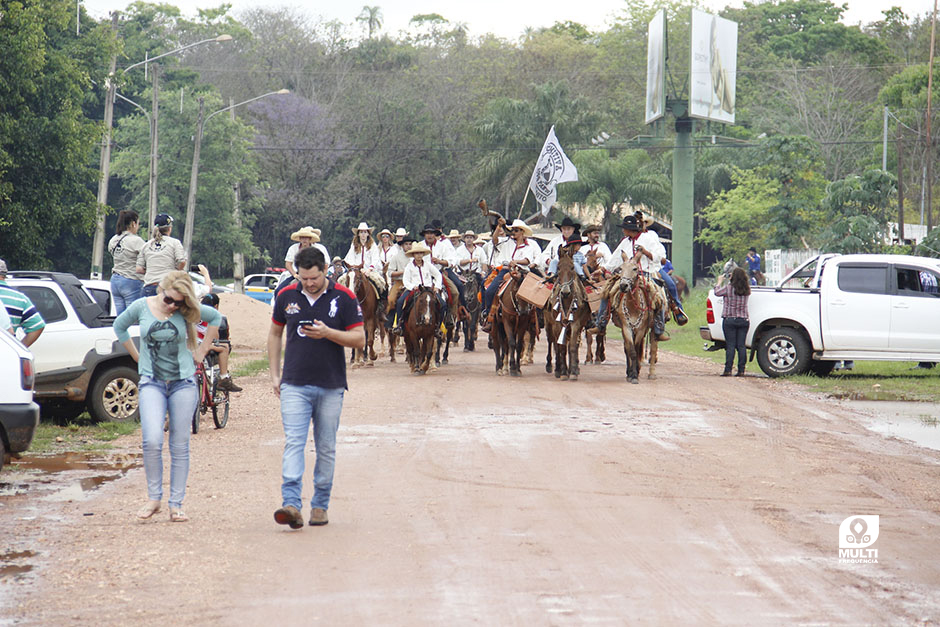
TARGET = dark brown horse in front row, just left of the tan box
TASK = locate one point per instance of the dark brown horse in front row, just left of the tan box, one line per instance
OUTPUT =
(514, 317)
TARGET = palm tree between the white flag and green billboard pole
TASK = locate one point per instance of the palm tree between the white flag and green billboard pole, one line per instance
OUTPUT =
(614, 181)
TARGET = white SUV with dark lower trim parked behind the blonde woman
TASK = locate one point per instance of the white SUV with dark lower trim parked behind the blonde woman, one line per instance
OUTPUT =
(79, 362)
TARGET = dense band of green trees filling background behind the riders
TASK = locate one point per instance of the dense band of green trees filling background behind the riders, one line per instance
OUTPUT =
(401, 129)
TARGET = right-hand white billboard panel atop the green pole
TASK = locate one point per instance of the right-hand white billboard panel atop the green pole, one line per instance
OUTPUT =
(714, 63)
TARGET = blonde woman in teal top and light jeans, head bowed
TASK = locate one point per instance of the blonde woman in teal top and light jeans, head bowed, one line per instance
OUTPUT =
(167, 364)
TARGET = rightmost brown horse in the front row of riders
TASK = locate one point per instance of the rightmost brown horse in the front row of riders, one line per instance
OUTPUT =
(633, 301)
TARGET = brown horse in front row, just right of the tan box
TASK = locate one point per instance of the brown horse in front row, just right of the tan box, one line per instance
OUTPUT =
(567, 313)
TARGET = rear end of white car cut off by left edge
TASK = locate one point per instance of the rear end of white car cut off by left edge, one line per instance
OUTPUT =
(19, 414)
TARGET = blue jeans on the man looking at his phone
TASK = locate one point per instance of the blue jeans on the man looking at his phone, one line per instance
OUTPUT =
(301, 405)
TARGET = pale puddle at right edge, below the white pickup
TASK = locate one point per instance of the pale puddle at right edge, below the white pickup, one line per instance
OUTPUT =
(916, 422)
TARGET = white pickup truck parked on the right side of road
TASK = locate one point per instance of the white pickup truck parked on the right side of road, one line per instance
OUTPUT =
(841, 307)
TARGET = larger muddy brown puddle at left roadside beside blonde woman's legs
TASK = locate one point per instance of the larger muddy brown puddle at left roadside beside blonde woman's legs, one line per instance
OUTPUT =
(64, 477)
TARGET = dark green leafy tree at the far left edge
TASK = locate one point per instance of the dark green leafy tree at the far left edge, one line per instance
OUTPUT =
(46, 141)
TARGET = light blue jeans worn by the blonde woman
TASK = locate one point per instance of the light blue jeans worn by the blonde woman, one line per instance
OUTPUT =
(180, 397)
